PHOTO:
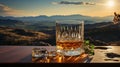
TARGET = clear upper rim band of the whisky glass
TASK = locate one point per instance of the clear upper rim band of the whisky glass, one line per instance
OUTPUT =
(69, 21)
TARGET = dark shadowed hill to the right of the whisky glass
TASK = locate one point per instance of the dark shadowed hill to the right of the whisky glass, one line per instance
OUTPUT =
(103, 33)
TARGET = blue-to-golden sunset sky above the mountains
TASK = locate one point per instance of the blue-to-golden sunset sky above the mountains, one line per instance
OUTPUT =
(93, 8)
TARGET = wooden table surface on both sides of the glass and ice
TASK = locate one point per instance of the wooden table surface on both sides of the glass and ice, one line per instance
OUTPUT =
(23, 54)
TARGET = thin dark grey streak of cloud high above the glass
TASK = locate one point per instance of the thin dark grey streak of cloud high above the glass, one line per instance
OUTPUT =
(74, 3)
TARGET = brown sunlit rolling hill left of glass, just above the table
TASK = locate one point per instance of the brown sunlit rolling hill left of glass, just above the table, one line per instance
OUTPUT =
(21, 37)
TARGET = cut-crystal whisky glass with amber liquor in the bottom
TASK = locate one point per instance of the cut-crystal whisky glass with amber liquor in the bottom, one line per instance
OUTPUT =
(70, 37)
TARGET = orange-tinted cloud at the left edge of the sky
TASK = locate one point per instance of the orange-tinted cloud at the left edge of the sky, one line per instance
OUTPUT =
(5, 10)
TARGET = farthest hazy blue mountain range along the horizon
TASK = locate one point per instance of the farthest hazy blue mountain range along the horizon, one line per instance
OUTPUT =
(87, 19)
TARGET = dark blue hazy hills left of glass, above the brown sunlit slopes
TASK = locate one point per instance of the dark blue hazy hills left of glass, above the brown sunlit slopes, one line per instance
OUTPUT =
(43, 26)
